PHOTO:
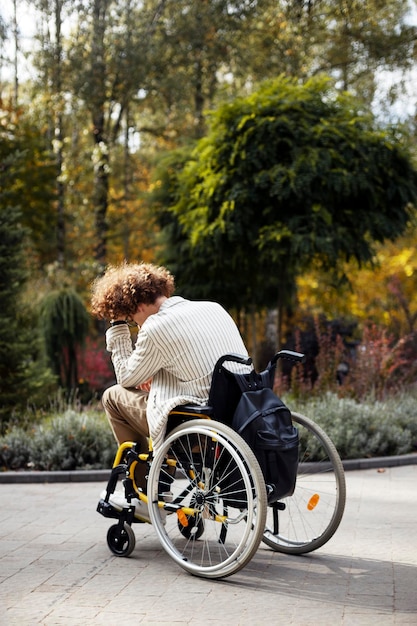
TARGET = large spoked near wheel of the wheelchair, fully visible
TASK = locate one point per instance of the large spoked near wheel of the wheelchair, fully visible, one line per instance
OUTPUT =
(215, 517)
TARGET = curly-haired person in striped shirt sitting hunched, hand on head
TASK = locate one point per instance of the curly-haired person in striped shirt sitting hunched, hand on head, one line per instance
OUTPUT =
(171, 363)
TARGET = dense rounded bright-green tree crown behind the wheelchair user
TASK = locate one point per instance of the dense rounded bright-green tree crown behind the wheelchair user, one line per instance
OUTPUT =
(291, 174)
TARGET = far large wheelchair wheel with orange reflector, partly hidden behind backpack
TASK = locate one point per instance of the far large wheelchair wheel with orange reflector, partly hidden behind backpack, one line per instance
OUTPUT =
(306, 520)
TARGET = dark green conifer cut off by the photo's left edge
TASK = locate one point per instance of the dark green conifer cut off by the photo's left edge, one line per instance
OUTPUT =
(24, 377)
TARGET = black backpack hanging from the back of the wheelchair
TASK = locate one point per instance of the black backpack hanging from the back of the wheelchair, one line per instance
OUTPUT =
(264, 422)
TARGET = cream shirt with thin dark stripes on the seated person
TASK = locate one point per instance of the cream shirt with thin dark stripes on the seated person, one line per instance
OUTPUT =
(178, 348)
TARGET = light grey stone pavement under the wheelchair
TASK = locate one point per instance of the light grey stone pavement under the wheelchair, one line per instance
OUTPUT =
(56, 568)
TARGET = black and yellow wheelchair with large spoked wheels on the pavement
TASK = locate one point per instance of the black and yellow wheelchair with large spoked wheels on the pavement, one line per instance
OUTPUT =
(206, 493)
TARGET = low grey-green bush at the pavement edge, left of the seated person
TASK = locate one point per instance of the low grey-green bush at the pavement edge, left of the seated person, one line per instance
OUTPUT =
(69, 441)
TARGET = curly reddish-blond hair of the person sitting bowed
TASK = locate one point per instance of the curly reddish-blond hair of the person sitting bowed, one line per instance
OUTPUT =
(123, 287)
